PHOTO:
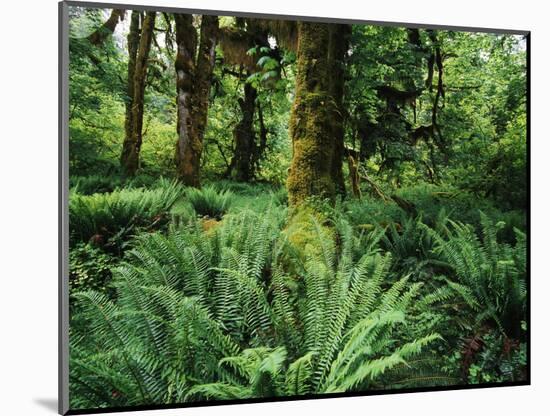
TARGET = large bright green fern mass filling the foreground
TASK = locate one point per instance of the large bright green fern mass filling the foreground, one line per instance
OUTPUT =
(240, 313)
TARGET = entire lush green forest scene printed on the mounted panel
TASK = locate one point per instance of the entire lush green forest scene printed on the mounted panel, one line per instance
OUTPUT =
(264, 208)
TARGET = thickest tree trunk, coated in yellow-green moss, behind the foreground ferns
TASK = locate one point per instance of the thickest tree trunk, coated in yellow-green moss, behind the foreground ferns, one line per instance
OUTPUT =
(315, 123)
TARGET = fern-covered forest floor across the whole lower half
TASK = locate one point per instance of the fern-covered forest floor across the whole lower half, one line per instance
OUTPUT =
(267, 285)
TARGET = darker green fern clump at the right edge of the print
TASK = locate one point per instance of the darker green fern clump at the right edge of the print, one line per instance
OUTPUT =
(490, 275)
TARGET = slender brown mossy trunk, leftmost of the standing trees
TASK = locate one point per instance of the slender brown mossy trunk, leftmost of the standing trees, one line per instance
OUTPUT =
(139, 45)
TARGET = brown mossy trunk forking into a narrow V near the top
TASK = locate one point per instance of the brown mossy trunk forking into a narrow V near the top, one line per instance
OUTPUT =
(193, 82)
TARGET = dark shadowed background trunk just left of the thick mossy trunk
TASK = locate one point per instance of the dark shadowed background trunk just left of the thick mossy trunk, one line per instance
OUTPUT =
(245, 137)
